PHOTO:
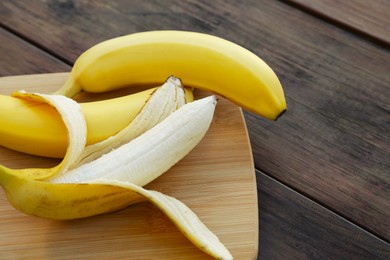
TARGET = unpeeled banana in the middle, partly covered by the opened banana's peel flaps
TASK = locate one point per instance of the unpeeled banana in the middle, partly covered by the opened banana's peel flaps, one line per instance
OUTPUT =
(36, 128)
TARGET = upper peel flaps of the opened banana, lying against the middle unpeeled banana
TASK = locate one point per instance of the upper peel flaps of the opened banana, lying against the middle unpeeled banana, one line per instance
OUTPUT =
(162, 102)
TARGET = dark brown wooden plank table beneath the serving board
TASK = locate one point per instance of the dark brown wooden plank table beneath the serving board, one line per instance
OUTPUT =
(323, 169)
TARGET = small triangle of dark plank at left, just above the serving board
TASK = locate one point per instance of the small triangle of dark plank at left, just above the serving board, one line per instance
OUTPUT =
(19, 57)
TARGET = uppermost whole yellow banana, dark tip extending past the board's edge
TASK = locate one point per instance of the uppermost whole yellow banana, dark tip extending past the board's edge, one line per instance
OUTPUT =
(204, 61)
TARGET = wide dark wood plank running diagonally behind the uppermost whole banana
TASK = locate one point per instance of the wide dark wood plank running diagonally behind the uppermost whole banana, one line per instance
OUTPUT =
(332, 145)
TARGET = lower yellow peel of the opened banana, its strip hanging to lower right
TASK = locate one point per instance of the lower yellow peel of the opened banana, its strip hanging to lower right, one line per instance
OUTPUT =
(41, 199)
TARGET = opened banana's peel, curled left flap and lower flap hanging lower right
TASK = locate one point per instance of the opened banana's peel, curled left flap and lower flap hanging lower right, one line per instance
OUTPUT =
(46, 199)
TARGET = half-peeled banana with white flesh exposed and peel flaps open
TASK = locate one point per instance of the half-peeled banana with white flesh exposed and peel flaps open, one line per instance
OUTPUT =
(113, 181)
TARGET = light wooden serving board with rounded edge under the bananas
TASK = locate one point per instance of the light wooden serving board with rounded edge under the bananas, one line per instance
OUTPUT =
(216, 180)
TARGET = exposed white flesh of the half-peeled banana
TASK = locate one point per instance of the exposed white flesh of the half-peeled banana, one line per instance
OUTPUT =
(145, 158)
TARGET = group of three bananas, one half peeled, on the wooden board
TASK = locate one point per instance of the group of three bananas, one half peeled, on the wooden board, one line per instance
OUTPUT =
(106, 158)
